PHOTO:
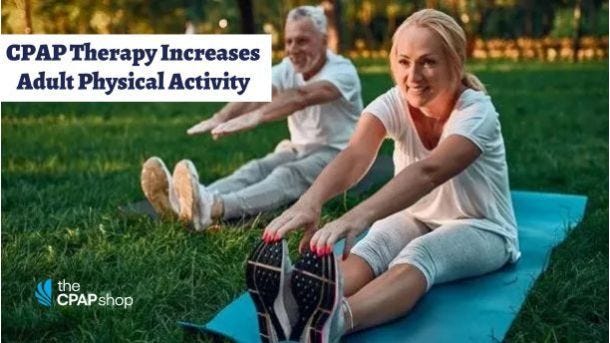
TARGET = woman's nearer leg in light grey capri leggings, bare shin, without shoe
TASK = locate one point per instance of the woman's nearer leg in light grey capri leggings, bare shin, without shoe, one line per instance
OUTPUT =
(448, 253)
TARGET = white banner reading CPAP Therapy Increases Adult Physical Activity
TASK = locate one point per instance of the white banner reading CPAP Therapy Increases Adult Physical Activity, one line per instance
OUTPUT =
(147, 68)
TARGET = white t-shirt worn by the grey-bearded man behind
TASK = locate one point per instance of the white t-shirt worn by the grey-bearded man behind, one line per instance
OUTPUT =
(330, 123)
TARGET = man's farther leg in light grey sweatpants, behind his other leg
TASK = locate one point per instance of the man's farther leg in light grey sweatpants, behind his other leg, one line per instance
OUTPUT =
(252, 172)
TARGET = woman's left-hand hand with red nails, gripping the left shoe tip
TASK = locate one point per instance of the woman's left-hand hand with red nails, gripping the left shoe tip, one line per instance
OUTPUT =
(301, 215)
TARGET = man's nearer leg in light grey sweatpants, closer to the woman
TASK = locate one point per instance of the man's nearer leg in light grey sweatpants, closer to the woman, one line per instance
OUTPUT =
(285, 184)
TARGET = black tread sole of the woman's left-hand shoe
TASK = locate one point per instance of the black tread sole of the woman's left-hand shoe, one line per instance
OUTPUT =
(264, 280)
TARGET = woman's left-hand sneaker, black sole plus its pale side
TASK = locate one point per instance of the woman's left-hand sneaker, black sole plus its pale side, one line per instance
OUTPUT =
(268, 280)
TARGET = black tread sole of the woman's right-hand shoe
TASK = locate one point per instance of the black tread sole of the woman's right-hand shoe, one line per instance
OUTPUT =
(315, 290)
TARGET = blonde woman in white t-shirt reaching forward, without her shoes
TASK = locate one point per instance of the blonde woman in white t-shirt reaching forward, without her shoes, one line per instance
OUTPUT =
(446, 214)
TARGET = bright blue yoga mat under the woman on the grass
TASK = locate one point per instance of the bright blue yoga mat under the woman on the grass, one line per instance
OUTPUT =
(478, 309)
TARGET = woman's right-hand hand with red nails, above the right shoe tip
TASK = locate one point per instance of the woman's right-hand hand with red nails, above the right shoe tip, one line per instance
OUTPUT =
(348, 226)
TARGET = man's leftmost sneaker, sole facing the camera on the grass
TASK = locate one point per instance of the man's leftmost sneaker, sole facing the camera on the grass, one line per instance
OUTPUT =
(156, 185)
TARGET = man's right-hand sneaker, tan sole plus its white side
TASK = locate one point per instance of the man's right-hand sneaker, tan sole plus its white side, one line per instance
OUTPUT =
(194, 201)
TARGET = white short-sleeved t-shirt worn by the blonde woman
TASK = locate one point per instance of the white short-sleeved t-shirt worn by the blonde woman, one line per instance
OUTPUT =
(480, 194)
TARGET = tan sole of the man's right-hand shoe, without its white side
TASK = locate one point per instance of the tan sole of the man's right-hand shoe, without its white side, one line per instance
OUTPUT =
(187, 191)
